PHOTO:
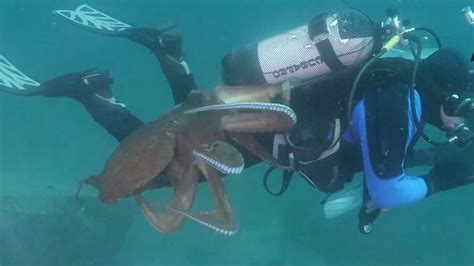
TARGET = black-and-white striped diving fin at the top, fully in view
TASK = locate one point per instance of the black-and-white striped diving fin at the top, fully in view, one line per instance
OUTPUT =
(93, 20)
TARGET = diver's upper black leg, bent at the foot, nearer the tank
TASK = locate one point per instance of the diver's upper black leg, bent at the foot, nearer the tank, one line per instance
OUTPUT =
(167, 47)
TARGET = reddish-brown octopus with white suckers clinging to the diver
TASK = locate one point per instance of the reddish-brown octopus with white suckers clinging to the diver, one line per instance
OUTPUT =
(196, 138)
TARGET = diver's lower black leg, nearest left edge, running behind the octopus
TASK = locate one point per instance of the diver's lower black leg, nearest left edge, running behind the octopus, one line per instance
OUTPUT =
(92, 90)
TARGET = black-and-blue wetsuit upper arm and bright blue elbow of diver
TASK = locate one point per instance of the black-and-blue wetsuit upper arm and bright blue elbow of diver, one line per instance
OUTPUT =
(384, 127)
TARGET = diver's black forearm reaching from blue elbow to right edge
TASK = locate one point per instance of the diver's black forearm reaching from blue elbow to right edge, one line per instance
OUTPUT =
(448, 175)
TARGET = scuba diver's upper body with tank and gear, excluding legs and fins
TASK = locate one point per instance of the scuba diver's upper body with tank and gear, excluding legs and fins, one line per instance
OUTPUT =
(393, 99)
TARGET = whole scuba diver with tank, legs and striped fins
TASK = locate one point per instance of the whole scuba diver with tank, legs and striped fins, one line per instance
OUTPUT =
(384, 117)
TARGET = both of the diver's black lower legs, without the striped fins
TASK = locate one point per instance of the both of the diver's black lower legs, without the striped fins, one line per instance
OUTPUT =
(92, 88)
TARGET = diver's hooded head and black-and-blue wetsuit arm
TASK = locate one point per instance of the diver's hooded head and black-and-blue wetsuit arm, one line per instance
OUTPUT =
(384, 127)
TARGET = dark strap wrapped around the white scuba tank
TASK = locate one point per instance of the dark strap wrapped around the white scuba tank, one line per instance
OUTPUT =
(318, 32)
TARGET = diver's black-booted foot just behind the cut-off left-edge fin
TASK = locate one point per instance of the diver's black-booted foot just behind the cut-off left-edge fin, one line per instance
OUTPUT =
(78, 85)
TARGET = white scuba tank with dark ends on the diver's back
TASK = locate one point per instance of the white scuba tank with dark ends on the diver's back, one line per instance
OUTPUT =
(325, 45)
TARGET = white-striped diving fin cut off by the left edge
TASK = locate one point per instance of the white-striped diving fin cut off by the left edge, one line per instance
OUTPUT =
(13, 81)
